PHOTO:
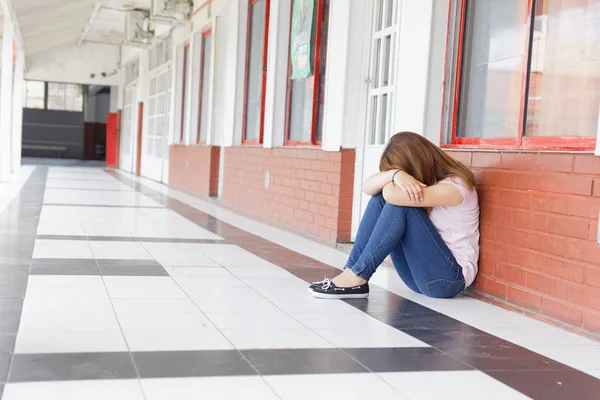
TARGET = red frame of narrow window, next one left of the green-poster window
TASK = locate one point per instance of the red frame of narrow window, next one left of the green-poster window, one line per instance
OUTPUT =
(264, 73)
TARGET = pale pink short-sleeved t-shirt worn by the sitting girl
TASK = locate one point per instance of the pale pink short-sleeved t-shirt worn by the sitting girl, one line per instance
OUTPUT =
(459, 228)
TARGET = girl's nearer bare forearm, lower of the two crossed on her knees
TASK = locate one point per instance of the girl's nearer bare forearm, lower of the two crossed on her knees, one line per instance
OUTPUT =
(433, 196)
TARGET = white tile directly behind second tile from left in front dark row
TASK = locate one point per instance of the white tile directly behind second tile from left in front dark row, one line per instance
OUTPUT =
(173, 340)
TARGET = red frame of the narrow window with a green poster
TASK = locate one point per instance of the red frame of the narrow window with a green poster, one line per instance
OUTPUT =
(316, 83)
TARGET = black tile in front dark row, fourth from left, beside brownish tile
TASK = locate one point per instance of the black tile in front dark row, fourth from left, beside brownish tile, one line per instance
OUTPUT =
(406, 359)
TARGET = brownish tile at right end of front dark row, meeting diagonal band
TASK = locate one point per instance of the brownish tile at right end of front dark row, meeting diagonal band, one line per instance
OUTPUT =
(503, 359)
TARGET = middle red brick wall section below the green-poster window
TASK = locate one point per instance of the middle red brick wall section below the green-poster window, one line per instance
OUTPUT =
(310, 190)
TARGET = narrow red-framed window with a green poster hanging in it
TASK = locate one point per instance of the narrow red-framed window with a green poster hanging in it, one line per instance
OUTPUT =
(305, 96)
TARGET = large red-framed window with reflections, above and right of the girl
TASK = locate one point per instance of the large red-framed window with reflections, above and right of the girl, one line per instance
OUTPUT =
(527, 74)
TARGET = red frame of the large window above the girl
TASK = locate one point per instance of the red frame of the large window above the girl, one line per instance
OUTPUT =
(520, 141)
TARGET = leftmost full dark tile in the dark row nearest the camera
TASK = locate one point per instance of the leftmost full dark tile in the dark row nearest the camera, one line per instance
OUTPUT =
(79, 366)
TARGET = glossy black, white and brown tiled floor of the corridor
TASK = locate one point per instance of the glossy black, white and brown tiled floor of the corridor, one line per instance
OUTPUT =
(110, 289)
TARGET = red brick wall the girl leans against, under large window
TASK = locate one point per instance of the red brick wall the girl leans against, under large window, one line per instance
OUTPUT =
(539, 224)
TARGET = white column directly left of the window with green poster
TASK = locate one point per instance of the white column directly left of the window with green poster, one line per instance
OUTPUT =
(277, 69)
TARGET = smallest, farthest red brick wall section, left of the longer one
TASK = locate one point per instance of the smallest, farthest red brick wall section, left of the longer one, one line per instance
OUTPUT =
(194, 169)
